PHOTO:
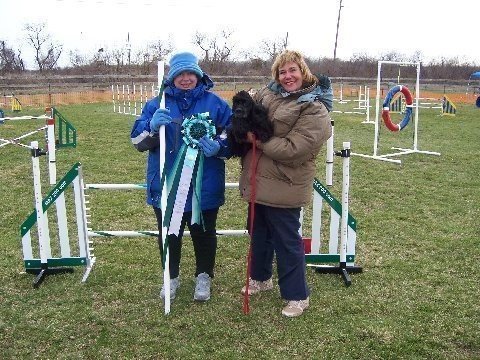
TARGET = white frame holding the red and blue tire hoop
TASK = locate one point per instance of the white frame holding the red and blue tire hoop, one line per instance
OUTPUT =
(399, 151)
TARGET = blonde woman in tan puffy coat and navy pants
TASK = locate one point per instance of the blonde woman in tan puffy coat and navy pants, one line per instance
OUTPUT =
(284, 169)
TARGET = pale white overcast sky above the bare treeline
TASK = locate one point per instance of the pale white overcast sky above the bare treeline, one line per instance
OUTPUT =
(435, 28)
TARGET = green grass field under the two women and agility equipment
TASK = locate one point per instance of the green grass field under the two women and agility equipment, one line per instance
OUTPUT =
(418, 243)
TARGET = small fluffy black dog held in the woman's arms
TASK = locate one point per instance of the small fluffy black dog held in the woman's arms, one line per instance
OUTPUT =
(247, 116)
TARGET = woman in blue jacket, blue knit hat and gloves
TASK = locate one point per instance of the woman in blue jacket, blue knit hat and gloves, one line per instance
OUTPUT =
(186, 94)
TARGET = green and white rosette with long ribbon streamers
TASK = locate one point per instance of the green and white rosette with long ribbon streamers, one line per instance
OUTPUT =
(187, 170)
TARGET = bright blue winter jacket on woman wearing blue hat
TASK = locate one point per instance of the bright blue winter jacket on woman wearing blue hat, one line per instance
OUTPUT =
(182, 105)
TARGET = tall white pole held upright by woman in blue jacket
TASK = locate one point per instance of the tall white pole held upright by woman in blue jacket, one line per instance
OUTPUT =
(163, 203)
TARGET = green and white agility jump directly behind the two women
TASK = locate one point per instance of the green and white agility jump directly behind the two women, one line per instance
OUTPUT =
(340, 243)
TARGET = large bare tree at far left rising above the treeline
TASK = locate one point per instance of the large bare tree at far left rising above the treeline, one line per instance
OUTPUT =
(46, 51)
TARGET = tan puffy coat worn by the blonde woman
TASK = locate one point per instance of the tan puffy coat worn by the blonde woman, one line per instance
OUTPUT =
(286, 163)
